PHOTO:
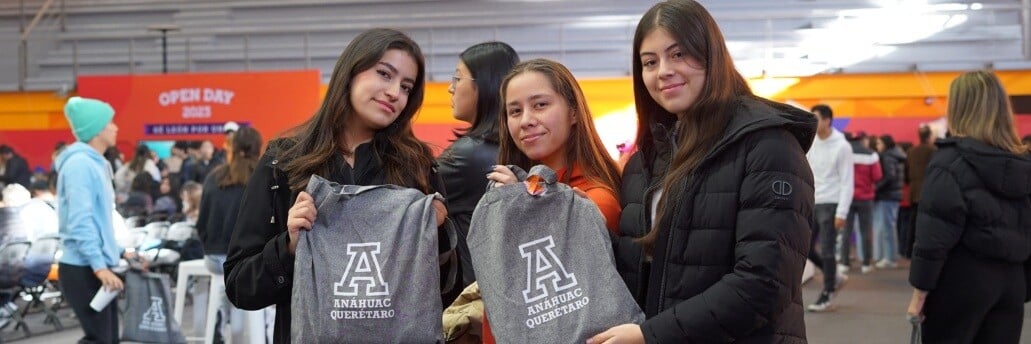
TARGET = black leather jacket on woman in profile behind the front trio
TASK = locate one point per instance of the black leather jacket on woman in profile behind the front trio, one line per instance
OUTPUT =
(464, 167)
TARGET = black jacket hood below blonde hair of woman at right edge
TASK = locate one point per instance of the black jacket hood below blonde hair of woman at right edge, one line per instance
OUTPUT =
(1003, 173)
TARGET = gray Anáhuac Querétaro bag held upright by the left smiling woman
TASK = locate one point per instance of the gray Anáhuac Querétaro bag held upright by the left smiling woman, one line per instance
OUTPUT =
(368, 271)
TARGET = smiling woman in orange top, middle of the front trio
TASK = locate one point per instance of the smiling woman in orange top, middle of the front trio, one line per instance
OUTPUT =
(545, 121)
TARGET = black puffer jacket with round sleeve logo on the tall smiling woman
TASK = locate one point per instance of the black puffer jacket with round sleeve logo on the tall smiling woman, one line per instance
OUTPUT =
(728, 259)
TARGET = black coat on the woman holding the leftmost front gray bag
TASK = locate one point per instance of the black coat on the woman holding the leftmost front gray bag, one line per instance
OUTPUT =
(259, 267)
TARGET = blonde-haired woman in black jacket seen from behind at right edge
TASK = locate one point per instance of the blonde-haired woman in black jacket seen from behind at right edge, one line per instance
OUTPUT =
(971, 262)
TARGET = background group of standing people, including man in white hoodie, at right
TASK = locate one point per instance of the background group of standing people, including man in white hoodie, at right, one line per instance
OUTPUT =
(869, 183)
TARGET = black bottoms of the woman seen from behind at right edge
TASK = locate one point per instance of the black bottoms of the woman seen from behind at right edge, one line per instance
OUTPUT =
(978, 300)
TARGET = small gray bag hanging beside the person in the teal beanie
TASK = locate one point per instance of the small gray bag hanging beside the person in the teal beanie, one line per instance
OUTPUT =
(149, 318)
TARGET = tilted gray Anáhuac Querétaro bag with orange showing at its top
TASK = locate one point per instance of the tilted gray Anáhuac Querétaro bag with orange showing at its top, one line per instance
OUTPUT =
(545, 264)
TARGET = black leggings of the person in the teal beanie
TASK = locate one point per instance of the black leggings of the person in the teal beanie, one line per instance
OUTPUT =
(79, 285)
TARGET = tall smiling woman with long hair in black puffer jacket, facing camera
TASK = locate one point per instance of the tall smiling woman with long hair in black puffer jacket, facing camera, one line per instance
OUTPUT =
(718, 217)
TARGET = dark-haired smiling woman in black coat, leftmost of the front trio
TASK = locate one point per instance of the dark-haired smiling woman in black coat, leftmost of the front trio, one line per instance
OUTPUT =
(361, 135)
